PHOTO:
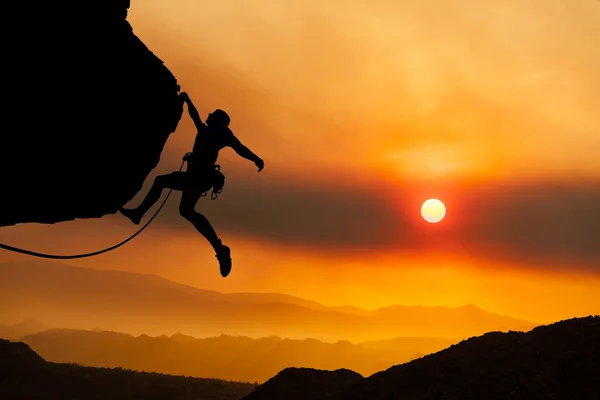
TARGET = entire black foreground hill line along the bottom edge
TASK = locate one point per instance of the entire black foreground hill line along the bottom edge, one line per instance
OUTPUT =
(560, 361)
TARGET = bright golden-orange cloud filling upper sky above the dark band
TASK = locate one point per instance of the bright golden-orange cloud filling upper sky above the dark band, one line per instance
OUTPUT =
(372, 78)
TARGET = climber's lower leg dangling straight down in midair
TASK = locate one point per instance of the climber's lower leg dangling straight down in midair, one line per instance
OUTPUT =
(189, 198)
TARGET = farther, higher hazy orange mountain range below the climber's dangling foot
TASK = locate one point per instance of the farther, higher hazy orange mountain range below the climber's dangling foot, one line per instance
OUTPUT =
(65, 296)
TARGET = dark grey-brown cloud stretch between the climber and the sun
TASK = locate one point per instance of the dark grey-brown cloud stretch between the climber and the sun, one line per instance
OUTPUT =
(311, 214)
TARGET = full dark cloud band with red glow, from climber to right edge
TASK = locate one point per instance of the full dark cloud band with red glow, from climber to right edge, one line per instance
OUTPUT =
(538, 222)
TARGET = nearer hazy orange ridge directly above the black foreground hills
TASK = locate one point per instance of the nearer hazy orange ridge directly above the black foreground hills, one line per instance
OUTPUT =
(231, 358)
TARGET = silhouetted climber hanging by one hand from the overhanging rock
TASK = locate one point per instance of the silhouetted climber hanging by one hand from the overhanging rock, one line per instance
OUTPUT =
(199, 177)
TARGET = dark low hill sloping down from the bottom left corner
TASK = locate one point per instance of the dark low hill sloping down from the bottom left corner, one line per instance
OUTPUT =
(24, 375)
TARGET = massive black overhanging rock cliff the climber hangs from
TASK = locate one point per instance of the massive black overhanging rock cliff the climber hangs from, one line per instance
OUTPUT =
(87, 110)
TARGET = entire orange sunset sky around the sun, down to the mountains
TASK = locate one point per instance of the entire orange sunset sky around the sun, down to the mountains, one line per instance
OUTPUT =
(362, 110)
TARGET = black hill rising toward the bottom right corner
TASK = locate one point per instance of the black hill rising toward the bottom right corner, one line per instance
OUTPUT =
(559, 362)
